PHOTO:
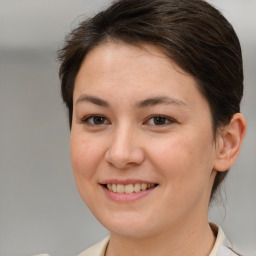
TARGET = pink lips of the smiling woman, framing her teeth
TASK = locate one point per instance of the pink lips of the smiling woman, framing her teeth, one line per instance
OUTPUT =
(123, 197)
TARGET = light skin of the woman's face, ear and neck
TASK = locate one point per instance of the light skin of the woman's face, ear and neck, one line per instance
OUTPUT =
(139, 118)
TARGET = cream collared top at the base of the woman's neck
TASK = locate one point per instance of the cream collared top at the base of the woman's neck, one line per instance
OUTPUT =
(222, 246)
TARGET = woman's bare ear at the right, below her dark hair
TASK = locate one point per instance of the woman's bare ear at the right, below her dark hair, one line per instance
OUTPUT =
(228, 142)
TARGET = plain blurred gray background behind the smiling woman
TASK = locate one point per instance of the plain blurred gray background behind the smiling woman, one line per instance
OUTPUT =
(40, 209)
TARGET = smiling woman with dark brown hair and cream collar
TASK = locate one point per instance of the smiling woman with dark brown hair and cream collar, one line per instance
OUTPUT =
(153, 90)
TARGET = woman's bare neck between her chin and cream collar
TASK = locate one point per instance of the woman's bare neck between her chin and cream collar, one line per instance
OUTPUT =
(192, 240)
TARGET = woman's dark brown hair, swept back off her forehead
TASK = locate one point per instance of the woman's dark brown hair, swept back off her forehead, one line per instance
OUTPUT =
(192, 33)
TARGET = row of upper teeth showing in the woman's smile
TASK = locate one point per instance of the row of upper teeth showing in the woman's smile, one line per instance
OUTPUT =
(129, 188)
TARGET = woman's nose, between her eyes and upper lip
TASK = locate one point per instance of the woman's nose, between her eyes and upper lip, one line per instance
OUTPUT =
(125, 150)
